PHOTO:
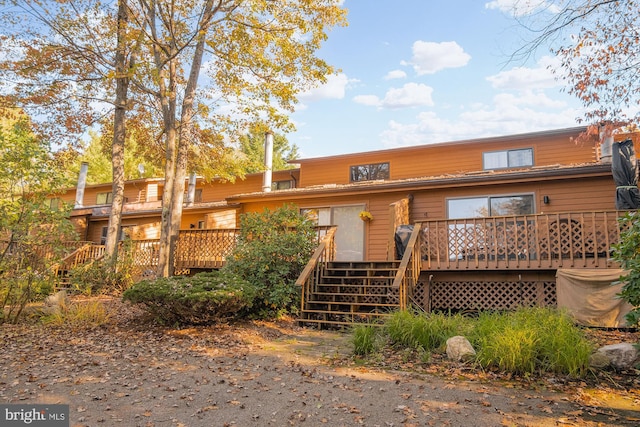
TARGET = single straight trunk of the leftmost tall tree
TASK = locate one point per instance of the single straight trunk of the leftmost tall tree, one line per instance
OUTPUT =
(119, 135)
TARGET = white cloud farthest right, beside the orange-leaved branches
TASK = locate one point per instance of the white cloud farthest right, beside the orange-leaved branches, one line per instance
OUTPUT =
(522, 78)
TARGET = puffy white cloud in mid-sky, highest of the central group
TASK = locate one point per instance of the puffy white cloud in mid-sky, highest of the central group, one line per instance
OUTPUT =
(430, 57)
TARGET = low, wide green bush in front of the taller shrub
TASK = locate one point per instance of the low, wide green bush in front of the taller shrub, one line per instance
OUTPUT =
(202, 299)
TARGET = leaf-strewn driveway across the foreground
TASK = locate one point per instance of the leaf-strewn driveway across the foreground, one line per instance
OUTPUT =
(129, 373)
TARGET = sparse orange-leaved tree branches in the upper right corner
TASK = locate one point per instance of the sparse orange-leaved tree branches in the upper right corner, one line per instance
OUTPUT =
(598, 44)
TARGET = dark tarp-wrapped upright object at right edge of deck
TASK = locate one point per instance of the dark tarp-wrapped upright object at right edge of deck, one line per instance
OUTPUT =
(625, 174)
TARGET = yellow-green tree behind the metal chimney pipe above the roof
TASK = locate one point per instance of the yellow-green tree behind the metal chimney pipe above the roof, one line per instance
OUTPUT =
(252, 146)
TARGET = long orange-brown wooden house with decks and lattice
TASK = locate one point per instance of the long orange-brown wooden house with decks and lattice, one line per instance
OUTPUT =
(496, 218)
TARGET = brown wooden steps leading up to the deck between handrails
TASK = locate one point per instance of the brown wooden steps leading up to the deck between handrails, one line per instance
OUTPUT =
(351, 292)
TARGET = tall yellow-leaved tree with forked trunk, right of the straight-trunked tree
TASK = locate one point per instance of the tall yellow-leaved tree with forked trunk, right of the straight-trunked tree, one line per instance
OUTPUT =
(259, 54)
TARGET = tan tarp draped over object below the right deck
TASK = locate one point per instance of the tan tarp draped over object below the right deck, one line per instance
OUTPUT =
(590, 296)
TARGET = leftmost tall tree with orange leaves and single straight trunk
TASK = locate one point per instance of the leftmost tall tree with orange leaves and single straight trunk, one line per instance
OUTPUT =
(64, 68)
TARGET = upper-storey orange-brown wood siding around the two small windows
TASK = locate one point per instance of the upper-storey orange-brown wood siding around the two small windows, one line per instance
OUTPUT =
(443, 159)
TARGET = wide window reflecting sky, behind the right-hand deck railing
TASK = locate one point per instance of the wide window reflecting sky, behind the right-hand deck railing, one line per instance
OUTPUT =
(490, 206)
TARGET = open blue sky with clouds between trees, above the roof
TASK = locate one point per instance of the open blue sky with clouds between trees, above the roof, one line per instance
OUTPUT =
(426, 71)
